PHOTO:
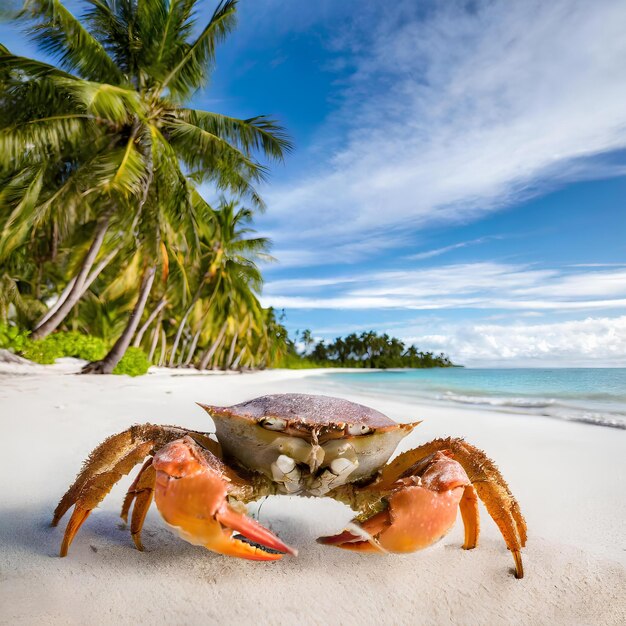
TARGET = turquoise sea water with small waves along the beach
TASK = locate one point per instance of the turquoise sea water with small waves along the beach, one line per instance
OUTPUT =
(596, 396)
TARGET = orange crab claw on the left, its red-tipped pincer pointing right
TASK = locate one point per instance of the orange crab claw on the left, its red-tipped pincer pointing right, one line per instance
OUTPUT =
(191, 495)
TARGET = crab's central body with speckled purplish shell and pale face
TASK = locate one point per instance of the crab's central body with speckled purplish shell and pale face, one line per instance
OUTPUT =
(312, 430)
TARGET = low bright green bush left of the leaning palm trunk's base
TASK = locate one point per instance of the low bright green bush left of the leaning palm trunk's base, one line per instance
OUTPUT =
(57, 345)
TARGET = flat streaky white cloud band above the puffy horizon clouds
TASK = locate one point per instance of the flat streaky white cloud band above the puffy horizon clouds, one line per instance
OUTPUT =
(484, 285)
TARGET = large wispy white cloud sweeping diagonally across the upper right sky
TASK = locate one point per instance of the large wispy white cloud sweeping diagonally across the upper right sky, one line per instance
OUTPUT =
(457, 112)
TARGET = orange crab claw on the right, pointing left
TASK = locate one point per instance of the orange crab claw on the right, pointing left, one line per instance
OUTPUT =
(421, 510)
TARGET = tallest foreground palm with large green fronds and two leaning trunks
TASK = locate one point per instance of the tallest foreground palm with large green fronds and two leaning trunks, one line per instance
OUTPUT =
(110, 142)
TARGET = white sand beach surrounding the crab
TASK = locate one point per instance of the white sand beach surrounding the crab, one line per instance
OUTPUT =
(569, 478)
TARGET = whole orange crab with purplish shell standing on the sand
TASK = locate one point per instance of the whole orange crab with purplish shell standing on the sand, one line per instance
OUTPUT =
(296, 444)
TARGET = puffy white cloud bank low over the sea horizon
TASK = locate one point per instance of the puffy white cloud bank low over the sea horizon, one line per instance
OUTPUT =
(587, 342)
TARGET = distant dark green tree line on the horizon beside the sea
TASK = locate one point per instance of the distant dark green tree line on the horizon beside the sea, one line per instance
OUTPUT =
(367, 350)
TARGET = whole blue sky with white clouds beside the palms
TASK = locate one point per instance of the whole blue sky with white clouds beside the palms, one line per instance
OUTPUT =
(459, 172)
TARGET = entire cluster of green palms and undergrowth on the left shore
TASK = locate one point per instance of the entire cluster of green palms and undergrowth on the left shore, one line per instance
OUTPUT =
(105, 229)
